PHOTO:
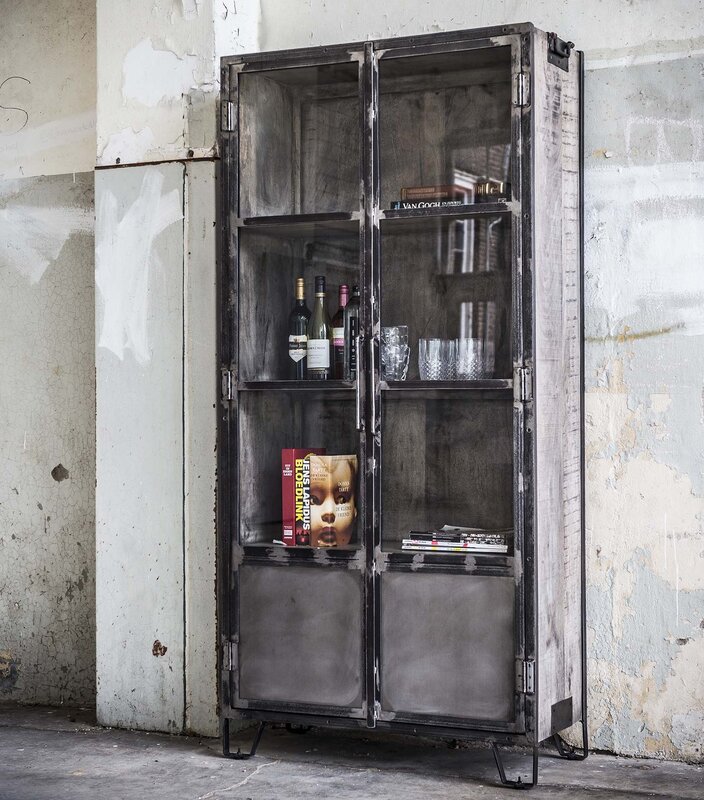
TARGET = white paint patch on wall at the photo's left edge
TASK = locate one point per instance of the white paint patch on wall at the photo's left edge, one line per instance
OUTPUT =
(33, 236)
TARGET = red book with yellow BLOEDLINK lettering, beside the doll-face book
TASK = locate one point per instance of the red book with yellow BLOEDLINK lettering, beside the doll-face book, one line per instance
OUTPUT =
(295, 494)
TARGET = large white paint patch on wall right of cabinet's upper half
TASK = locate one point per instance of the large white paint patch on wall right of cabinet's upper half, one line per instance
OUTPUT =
(659, 255)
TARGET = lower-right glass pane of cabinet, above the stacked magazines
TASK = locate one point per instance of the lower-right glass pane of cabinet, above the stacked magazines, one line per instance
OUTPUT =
(445, 461)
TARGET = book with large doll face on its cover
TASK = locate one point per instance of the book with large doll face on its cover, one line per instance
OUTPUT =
(333, 495)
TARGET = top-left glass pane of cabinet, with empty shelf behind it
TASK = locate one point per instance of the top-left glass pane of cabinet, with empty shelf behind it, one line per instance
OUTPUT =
(299, 133)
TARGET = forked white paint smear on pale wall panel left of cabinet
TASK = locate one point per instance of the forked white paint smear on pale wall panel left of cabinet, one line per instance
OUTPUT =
(124, 260)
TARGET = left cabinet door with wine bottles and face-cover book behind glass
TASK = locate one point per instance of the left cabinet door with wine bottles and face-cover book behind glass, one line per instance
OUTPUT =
(297, 583)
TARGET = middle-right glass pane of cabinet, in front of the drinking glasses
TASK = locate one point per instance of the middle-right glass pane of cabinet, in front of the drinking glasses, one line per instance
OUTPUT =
(450, 278)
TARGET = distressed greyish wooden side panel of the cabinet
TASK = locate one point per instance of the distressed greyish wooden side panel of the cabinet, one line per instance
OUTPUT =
(557, 389)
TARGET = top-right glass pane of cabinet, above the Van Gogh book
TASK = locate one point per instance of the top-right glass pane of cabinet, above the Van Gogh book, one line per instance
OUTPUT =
(444, 120)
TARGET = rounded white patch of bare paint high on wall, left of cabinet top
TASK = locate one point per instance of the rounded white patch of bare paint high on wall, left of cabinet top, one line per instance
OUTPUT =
(152, 76)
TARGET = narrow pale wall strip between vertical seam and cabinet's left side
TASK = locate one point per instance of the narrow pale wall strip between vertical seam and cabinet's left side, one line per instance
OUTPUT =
(200, 377)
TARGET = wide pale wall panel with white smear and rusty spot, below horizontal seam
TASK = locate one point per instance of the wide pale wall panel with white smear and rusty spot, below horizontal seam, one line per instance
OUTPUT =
(140, 449)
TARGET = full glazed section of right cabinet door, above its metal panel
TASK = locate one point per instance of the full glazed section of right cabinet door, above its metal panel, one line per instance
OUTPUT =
(446, 296)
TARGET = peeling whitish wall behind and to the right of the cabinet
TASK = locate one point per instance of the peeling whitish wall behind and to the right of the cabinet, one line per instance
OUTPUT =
(644, 320)
